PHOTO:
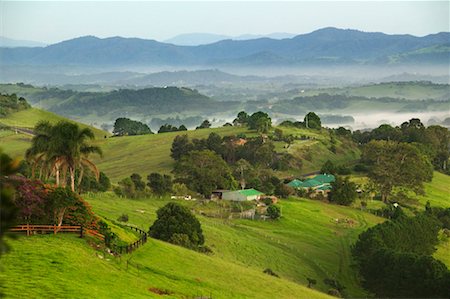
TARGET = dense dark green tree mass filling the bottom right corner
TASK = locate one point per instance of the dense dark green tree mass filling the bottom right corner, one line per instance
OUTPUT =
(395, 257)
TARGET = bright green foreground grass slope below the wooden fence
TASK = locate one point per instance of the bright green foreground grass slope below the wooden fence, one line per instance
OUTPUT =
(66, 267)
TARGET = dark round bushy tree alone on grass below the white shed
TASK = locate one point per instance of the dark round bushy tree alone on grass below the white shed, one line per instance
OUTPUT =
(173, 221)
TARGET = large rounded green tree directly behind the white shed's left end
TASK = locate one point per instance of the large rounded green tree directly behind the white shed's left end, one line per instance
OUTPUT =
(203, 171)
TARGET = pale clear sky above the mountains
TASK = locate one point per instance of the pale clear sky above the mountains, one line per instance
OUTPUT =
(54, 21)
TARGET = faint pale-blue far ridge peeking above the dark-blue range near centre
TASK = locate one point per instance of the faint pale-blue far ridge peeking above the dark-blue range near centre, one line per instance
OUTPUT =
(196, 39)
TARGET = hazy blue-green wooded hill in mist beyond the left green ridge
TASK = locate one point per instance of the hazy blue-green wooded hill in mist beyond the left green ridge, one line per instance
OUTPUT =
(108, 106)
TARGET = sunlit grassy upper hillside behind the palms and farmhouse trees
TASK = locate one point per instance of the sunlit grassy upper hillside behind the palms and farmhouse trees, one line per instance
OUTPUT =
(151, 153)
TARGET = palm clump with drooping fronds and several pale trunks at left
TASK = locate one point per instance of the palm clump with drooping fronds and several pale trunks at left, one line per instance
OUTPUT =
(64, 146)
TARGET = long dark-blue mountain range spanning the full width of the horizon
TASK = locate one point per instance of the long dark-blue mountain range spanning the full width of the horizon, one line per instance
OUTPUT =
(328, 46)
